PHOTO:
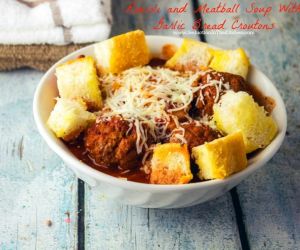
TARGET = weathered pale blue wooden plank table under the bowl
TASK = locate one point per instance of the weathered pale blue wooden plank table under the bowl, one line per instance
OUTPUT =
(44, 206)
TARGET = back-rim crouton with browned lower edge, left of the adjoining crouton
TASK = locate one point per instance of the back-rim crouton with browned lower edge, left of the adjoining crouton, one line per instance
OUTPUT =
(192, 55)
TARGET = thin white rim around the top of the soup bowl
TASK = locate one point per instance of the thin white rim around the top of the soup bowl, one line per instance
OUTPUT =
(81, 167)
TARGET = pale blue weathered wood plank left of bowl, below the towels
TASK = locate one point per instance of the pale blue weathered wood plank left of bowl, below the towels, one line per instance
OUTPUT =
(36, 191)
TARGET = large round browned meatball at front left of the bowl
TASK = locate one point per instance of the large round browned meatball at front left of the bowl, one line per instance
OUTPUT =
(112, 143)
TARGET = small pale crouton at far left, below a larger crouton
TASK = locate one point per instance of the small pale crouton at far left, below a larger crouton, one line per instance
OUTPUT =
(69, 118)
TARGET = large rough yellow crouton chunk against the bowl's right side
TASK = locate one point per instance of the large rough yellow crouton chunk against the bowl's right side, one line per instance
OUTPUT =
(237, 111)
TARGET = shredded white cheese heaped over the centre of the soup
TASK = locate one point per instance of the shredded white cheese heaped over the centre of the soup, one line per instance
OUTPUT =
(147, 96)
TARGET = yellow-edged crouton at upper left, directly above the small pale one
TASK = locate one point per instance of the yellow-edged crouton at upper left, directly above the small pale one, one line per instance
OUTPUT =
(78, 79)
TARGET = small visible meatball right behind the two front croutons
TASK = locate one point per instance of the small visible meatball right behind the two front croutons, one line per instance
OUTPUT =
(196, 134)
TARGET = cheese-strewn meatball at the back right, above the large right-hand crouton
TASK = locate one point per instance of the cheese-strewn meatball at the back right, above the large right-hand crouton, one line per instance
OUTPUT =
(236, 83)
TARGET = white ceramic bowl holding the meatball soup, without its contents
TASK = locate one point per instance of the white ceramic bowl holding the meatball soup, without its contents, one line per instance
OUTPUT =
(149, 195)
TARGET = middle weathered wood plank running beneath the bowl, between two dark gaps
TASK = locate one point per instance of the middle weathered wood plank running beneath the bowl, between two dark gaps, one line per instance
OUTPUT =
(110, 225)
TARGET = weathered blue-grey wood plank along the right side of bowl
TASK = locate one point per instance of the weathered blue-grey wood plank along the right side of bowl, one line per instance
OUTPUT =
(270, 199)
